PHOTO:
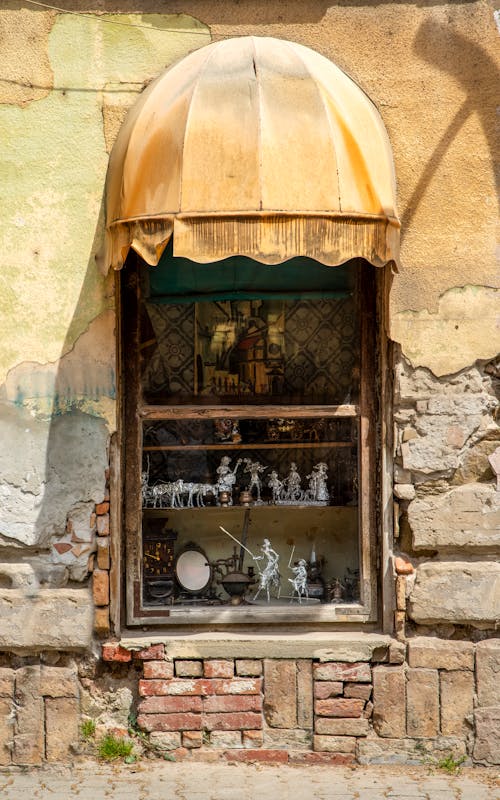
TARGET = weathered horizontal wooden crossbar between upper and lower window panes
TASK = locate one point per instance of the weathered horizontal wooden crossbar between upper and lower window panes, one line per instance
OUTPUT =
(148, 412)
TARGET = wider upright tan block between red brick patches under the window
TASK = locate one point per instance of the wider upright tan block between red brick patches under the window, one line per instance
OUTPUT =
(280, 693)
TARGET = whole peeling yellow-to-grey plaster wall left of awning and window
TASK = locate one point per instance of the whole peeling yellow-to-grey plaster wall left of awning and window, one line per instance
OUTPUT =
(66, 88)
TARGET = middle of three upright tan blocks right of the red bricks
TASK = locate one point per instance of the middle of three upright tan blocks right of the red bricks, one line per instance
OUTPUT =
(422, 703)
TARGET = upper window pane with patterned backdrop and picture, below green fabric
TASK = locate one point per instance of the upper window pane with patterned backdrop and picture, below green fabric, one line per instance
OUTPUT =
(251, 351)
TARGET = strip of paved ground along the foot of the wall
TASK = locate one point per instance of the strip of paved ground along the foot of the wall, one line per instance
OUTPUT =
(154, 780)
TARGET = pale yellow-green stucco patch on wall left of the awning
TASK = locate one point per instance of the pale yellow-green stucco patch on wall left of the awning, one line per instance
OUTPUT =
(54, 162)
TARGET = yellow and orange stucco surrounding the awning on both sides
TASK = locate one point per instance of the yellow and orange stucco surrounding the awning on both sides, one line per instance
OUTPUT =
(430, 69)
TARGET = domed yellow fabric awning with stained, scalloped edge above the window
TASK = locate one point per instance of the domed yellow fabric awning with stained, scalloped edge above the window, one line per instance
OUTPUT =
(257, 147)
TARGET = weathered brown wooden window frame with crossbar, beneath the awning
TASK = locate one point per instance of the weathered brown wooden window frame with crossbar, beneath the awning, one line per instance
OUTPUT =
(132, 413)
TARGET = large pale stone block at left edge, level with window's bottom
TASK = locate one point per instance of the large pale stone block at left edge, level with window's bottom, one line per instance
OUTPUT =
(54, 619)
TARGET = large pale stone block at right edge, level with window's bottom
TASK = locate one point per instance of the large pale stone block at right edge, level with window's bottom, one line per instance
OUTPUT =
(459, 592)
